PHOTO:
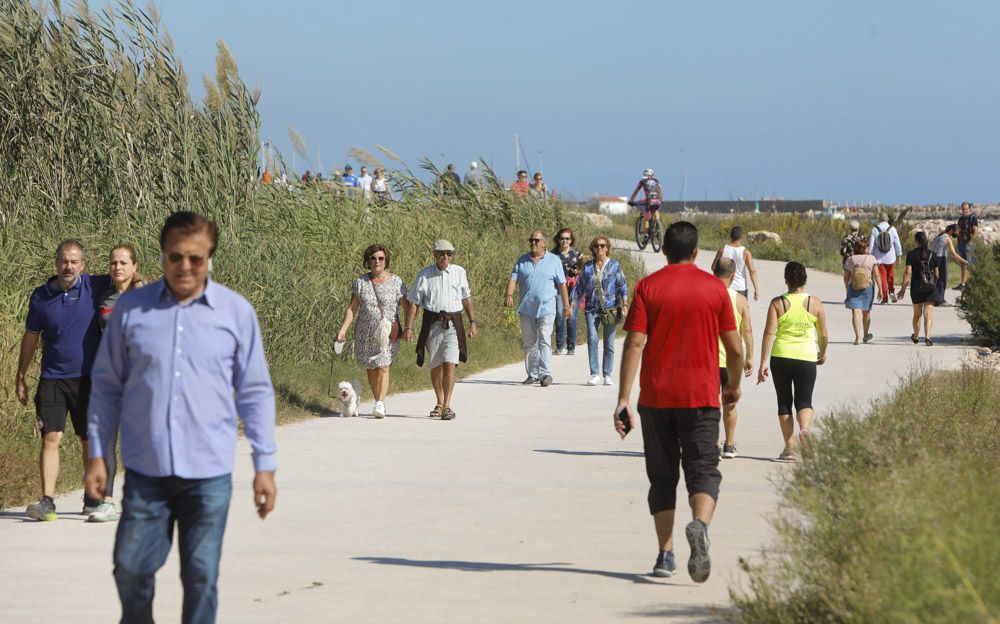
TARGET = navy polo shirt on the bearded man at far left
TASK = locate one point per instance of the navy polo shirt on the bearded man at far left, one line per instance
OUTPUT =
(68, 324)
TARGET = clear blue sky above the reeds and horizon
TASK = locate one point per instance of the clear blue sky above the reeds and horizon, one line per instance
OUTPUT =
(892, 101)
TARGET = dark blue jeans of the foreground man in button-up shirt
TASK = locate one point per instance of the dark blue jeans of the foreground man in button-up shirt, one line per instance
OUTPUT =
(150, 508)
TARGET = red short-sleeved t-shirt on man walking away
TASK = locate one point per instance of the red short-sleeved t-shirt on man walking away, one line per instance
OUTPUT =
(681, 309)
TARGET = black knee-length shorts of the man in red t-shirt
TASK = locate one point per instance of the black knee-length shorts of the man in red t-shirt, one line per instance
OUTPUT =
(675, 438)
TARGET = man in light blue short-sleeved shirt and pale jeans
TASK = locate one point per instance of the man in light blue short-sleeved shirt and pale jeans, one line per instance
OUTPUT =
(539, 276)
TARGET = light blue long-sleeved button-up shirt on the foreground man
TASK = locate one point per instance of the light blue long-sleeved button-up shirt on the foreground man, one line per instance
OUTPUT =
(175, 377)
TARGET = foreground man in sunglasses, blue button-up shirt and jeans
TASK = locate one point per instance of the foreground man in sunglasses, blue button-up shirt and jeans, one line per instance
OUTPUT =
(181, 360)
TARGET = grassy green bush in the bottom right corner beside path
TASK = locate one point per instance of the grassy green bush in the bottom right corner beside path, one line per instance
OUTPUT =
(893, 516)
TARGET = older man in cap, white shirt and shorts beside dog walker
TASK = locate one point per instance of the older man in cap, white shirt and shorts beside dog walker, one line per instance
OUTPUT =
(442, 290)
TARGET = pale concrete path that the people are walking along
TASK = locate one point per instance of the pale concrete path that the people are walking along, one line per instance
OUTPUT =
(525, 508)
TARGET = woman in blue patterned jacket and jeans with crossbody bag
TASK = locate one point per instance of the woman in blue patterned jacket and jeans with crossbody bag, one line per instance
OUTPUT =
(602, 275)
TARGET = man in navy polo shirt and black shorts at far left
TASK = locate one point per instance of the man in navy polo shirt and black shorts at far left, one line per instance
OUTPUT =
(63, 313)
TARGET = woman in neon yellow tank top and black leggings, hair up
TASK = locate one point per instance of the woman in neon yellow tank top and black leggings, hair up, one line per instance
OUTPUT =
(794, 344)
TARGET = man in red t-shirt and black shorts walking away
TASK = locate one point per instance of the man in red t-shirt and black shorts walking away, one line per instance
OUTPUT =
(677, 318)
